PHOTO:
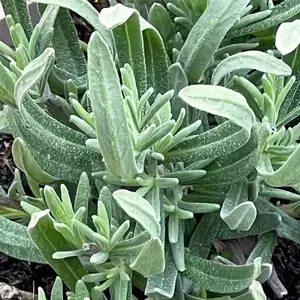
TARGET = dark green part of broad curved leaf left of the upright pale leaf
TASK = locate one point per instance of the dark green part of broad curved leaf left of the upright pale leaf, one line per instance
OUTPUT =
(45, 137)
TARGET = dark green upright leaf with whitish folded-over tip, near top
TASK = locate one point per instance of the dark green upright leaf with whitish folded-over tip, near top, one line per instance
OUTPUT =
(126, 28)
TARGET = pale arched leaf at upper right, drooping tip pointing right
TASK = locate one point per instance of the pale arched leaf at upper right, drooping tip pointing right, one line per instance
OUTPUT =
(257, 60)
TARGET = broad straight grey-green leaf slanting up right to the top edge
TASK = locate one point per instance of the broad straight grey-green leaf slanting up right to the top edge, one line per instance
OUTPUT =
(207, 35)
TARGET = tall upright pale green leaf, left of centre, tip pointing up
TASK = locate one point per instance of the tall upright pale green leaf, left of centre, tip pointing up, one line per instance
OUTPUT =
(109, 109)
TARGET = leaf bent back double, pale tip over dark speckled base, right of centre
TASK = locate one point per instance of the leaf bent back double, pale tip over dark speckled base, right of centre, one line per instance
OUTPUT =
(227, 137)
